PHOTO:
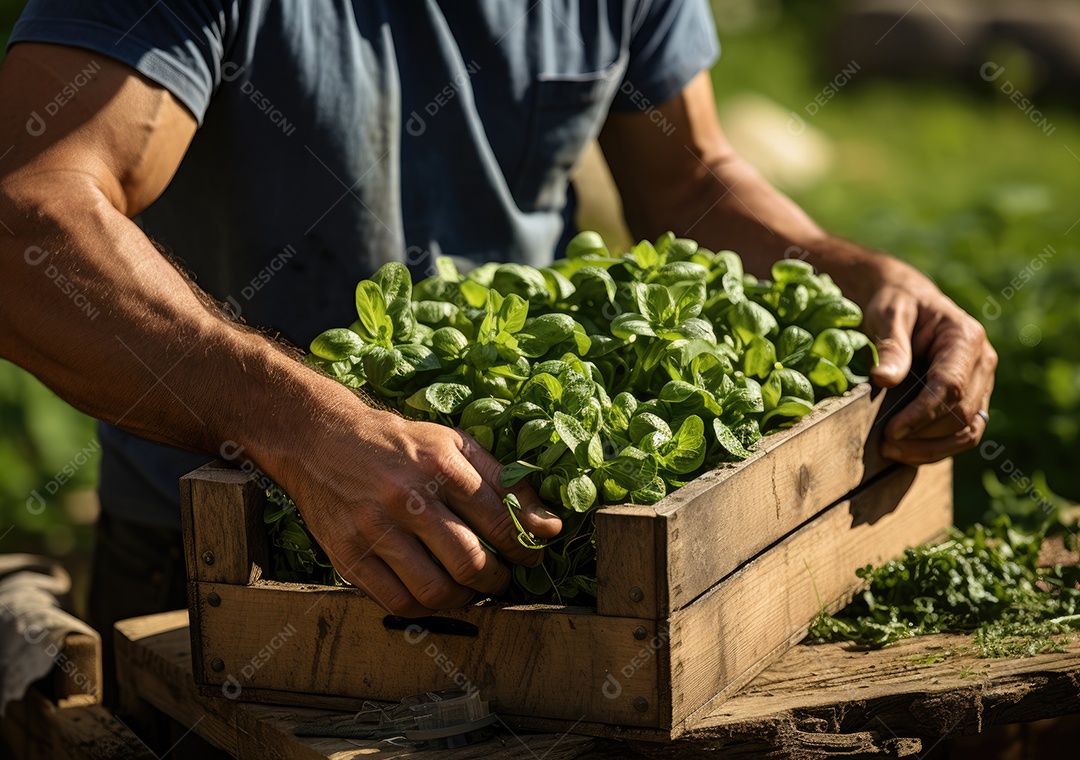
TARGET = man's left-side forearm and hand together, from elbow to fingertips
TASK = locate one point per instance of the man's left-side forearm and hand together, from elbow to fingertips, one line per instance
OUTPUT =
(146, 352)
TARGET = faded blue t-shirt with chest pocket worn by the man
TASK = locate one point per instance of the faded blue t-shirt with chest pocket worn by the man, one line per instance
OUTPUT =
(337, 135)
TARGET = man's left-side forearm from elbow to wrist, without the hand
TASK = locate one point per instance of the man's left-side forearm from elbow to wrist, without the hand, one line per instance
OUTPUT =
(92, 308)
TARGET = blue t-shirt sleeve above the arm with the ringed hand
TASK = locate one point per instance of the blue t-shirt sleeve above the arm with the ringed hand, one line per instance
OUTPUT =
(671, 42)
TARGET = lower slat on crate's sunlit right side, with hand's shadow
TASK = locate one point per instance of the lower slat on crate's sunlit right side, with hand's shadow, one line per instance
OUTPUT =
(725, 639)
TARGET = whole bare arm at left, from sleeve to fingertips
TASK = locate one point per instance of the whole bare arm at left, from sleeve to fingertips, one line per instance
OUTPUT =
(150, 356)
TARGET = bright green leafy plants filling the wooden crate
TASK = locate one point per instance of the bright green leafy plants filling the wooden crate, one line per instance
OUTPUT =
(602, 379)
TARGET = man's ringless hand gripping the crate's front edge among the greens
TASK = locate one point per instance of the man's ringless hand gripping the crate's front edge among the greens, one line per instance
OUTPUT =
(401, 507)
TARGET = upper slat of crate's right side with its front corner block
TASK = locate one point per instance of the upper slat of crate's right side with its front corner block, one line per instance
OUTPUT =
(793, 476)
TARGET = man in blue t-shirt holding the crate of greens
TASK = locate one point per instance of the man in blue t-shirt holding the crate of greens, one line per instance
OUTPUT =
(286, 151)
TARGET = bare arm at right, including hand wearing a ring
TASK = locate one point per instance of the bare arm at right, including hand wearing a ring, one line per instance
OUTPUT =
(694, 183)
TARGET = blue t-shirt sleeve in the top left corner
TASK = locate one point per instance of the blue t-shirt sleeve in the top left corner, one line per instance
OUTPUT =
(181, 46)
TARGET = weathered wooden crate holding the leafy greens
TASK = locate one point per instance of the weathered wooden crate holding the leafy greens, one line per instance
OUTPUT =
(697, 595)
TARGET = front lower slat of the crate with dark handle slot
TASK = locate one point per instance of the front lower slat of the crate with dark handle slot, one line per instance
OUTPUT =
(555, 662)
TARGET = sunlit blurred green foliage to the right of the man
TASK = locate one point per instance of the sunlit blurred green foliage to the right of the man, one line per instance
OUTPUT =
(955, 179)
